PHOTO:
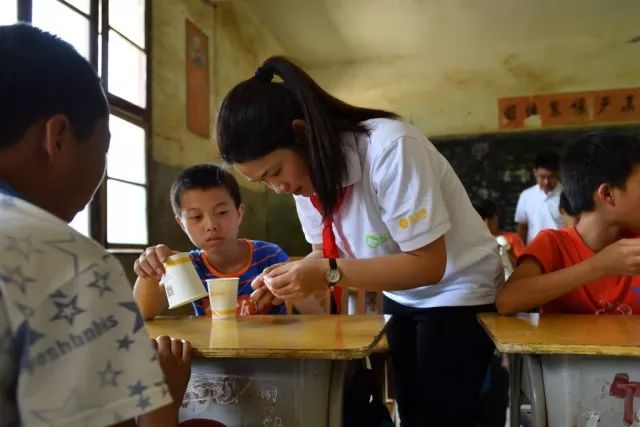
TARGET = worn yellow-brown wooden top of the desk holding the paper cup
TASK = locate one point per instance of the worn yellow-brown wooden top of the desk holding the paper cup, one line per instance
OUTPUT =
(277, 337)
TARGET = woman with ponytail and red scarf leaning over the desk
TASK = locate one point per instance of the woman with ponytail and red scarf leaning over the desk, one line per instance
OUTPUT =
(375, 193)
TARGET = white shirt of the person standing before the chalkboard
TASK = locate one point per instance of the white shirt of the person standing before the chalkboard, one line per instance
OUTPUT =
(539, 210)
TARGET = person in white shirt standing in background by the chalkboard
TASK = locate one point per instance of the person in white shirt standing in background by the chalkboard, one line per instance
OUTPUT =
(538, 205)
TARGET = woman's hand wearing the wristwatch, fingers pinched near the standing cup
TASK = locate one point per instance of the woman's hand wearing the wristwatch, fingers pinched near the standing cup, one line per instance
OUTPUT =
(296, 280)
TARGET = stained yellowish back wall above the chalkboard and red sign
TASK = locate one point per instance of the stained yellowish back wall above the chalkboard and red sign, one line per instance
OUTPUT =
(462, 98)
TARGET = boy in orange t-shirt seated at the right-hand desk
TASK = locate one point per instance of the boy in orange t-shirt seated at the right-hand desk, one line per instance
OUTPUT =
(591, 268)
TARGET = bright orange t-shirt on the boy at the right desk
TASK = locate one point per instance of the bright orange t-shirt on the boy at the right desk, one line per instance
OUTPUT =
(558, 249)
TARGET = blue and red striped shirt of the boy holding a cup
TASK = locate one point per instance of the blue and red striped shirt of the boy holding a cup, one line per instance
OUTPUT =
(262, 255)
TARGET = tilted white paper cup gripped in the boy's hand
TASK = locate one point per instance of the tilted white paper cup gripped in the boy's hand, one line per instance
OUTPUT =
(181, 281)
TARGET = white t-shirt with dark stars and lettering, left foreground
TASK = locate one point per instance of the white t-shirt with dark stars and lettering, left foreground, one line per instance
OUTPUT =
(73, 347)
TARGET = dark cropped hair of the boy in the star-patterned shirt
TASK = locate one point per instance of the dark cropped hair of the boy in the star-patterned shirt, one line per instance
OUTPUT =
(42, 75)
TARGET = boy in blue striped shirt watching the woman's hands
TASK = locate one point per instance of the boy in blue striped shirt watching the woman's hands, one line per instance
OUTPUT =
(208, 208)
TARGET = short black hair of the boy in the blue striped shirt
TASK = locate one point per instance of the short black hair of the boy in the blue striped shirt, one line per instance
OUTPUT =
(202, 177)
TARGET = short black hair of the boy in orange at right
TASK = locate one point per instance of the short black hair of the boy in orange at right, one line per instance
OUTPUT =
(596, 159)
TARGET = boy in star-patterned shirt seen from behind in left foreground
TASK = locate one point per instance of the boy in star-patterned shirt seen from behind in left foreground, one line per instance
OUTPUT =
(73, 347)
